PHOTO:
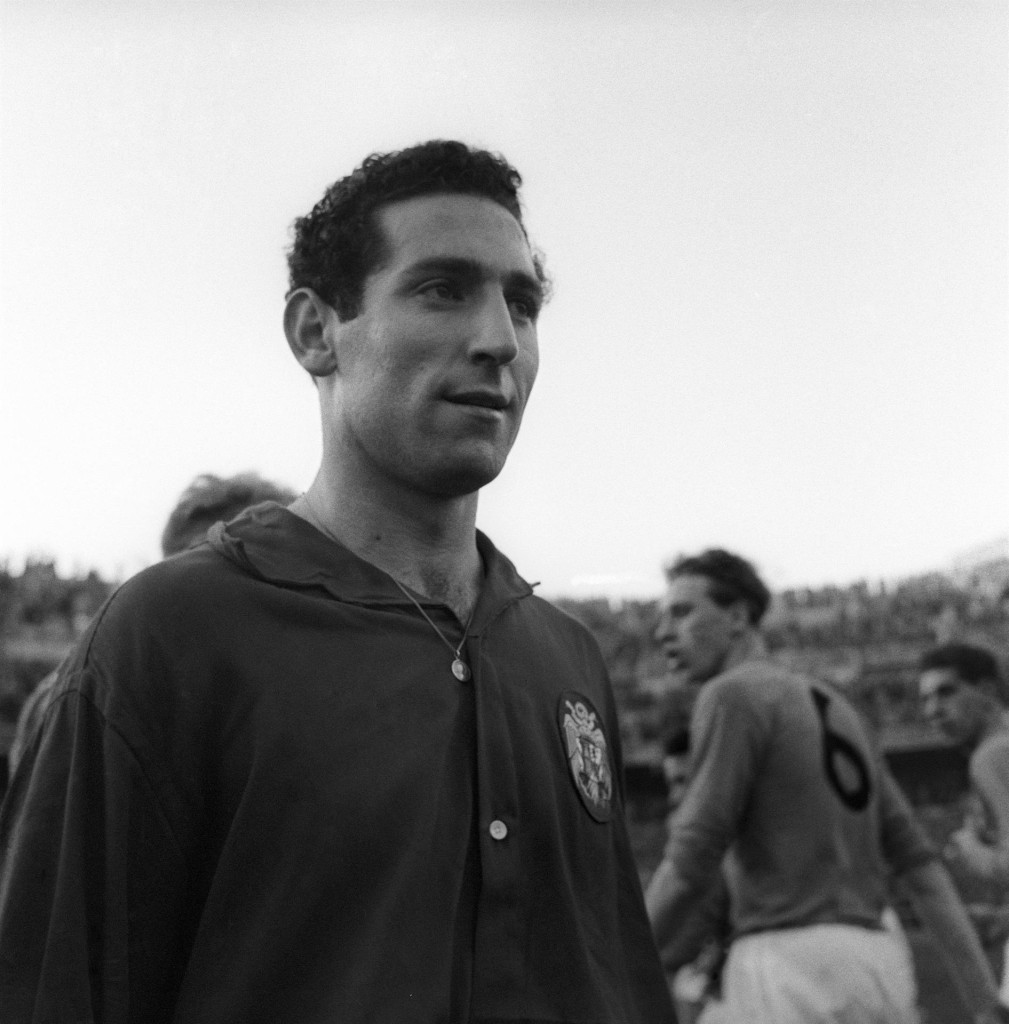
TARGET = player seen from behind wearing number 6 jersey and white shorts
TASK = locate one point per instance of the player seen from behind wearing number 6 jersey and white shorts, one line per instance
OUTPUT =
(786, 782)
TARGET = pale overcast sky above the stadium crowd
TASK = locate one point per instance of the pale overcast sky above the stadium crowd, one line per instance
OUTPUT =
(778, 232)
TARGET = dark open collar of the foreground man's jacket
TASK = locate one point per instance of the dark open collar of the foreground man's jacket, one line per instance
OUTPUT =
(280, 547)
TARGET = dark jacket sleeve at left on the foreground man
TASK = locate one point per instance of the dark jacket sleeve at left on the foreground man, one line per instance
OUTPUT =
(91, 873)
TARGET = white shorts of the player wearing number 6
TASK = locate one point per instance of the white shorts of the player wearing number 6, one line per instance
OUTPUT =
(823, 974)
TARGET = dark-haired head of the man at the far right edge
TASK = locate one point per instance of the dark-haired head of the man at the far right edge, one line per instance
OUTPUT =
(962, 690)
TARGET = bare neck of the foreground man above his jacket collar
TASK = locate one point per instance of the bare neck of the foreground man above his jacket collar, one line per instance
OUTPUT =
(428, 545)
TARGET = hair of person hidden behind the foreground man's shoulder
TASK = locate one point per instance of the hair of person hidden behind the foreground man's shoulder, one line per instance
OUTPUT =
(209, 499)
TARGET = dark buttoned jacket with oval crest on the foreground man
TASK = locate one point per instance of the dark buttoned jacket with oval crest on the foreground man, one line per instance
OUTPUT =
(260, 795)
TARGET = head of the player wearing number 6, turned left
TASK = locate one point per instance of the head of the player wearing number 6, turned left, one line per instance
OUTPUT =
(713, 602)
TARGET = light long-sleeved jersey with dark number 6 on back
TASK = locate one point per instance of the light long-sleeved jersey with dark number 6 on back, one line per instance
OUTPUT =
(786, 779)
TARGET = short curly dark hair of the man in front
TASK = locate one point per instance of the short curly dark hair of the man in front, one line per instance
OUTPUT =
(341, 243)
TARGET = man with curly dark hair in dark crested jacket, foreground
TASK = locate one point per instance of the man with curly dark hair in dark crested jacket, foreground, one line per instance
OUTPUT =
(341, 764)
